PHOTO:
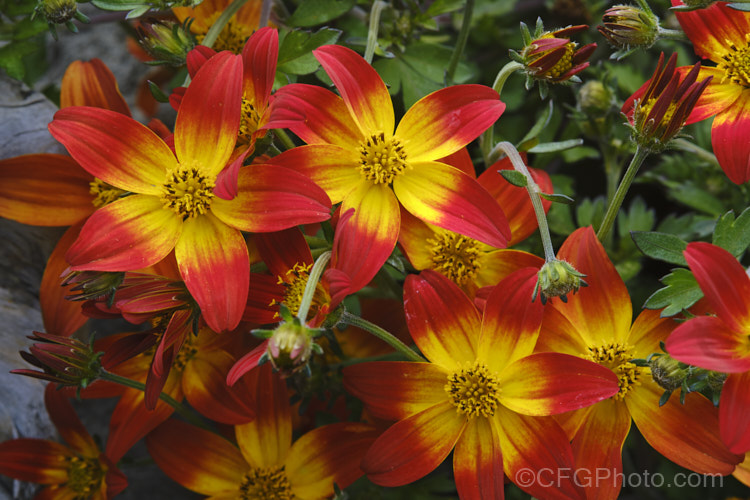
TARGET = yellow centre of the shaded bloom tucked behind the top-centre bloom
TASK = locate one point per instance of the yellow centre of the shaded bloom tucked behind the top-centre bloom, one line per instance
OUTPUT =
(455, 256)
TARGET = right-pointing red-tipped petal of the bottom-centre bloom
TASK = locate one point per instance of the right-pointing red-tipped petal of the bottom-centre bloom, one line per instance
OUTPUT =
(549, 383)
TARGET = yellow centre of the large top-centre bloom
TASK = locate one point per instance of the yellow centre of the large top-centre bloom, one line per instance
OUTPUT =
(381, 158)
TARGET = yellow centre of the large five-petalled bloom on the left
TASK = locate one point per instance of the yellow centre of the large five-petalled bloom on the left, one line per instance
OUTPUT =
(188, 191)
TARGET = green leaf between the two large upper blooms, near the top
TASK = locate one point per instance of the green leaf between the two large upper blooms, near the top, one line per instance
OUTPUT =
(295, 49)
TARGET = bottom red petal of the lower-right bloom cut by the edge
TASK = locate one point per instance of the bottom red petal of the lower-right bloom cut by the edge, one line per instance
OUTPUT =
(734, 419)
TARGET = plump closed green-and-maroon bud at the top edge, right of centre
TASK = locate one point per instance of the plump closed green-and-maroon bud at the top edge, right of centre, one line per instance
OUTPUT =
(626, 26)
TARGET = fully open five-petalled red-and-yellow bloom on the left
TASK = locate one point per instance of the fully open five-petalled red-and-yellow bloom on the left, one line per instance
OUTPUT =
(173, 205)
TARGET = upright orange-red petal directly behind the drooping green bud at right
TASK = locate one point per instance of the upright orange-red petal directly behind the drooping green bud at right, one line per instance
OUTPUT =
(603, 310)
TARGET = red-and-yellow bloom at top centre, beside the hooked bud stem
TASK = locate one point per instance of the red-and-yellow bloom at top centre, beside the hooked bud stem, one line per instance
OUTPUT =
(355, 155)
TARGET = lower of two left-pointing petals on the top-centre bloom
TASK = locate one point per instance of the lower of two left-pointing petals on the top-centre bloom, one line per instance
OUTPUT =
(333, 168)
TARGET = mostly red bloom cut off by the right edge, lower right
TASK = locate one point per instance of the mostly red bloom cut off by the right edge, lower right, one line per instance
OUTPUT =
(721, 342)
